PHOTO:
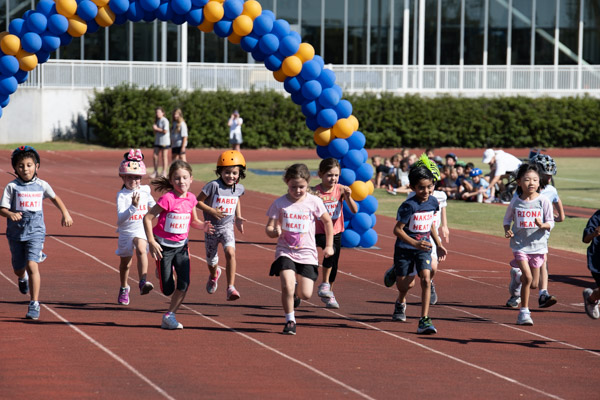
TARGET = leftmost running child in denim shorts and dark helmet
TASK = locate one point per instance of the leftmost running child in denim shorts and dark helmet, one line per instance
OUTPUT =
(21, 204)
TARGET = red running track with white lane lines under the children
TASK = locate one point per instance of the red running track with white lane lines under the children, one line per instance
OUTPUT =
(87, 346)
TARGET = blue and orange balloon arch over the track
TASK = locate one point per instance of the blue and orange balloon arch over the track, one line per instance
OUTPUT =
(30, 40)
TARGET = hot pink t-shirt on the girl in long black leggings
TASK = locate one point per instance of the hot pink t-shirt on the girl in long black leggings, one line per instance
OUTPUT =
(174, 223)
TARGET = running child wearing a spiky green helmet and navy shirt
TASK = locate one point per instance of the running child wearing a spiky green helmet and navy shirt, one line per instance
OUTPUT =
(414, 227)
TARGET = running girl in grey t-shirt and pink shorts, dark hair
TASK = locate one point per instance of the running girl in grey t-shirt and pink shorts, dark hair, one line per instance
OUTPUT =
(531, 216)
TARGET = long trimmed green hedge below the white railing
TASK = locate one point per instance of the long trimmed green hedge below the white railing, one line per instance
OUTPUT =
(123, 116)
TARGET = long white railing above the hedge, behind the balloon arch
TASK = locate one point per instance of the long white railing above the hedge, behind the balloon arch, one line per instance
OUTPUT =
(469, 80)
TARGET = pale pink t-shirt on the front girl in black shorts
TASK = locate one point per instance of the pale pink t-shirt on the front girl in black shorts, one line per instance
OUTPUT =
(297, 239)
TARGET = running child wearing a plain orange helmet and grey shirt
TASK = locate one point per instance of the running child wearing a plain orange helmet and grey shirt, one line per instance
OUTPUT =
(220, 204)
